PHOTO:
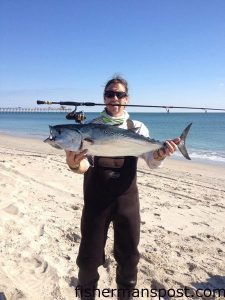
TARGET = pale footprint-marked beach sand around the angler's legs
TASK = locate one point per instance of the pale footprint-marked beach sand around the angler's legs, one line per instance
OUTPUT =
(182, 225)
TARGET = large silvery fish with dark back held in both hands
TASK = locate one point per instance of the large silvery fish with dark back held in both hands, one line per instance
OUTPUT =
(107, 140)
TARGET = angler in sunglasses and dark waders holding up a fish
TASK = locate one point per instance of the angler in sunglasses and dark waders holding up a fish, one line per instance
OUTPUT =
(111, 195)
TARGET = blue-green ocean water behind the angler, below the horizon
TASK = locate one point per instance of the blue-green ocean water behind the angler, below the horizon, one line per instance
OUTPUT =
(205, 142)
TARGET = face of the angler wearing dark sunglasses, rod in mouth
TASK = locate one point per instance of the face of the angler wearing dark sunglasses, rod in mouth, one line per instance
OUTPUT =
(113, 98)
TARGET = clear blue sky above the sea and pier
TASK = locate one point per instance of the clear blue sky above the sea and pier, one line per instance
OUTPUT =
(172, 52)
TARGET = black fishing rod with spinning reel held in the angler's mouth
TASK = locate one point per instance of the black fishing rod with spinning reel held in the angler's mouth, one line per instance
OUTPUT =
(79, 116)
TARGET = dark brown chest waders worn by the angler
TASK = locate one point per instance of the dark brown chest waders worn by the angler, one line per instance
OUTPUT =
(110, 195)
